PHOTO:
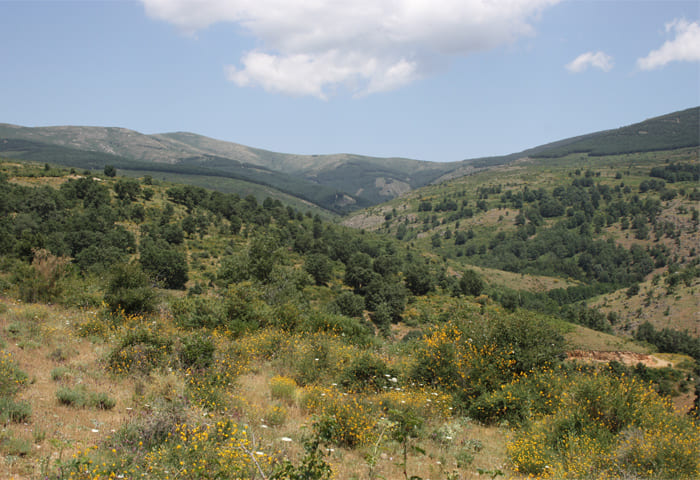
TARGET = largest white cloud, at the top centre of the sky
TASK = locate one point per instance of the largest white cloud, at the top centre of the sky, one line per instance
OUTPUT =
(313, 47)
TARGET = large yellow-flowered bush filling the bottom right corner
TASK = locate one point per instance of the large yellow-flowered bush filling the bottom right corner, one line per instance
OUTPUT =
(606, 426)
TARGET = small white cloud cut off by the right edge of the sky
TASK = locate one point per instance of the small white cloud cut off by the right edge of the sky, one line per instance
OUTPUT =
(684, 48)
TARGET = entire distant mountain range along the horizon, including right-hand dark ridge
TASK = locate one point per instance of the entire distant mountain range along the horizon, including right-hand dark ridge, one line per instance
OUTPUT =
(339, 183)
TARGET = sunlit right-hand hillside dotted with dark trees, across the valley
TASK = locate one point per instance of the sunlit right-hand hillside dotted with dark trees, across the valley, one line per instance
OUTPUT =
(590, 220)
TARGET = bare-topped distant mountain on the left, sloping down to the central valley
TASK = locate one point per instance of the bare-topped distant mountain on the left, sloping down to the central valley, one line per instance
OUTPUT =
(339, 182)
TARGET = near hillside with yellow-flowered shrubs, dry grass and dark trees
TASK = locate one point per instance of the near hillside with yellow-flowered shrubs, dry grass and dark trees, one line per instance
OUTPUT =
(157, 330)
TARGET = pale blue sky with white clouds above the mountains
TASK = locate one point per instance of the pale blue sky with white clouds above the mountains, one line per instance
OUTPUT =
(438, 80)
